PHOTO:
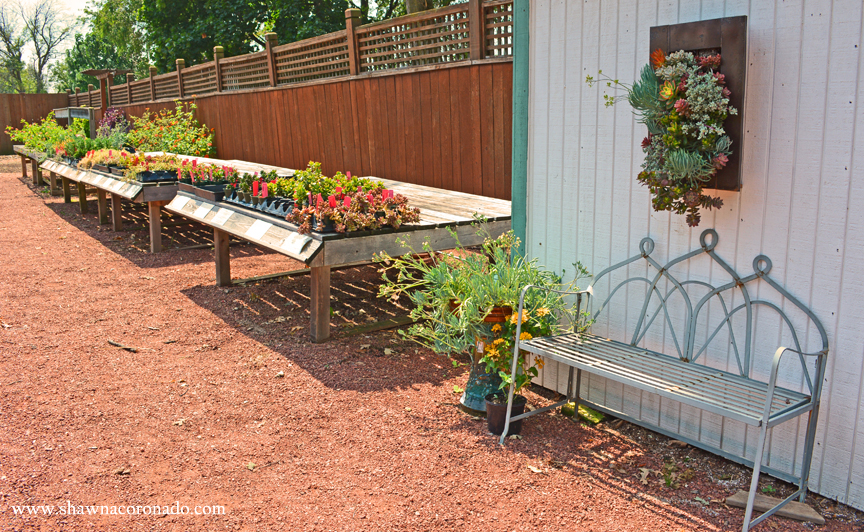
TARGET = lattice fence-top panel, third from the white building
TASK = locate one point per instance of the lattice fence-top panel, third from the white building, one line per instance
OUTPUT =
(322, 57)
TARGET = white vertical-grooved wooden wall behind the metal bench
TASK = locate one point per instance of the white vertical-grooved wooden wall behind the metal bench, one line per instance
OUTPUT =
(801, 203)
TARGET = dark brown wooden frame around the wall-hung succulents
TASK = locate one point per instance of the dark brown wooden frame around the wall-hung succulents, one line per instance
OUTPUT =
(729, 36)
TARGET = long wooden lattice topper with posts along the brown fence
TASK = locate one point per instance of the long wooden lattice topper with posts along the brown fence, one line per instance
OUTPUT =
(464, 32)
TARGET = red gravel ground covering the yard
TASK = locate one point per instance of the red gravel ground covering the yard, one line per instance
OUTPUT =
(360, 433)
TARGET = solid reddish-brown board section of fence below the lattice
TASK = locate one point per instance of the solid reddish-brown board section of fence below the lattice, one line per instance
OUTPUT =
(447, 127)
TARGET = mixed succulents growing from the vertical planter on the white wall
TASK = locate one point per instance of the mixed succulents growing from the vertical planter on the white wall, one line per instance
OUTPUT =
(683, 101)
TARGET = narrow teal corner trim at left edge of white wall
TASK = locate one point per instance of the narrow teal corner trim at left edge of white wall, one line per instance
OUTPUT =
(519, 182)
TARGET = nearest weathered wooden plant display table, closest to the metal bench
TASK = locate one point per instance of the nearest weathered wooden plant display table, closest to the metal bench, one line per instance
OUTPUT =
(440, 211)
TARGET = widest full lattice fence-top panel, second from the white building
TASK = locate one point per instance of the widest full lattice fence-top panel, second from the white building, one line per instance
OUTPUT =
(421, 39)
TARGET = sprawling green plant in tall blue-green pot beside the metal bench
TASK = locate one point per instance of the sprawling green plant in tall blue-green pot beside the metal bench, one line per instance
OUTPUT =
(463, 302)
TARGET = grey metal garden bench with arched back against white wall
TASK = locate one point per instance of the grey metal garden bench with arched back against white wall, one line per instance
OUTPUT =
(735, 395)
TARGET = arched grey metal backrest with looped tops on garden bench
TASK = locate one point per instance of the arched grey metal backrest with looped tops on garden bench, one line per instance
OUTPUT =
(662, 287)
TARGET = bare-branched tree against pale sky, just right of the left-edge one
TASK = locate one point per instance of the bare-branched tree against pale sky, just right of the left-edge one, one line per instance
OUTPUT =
(46, 31)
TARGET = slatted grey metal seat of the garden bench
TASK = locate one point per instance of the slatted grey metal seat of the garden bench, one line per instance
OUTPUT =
(708, 388)
